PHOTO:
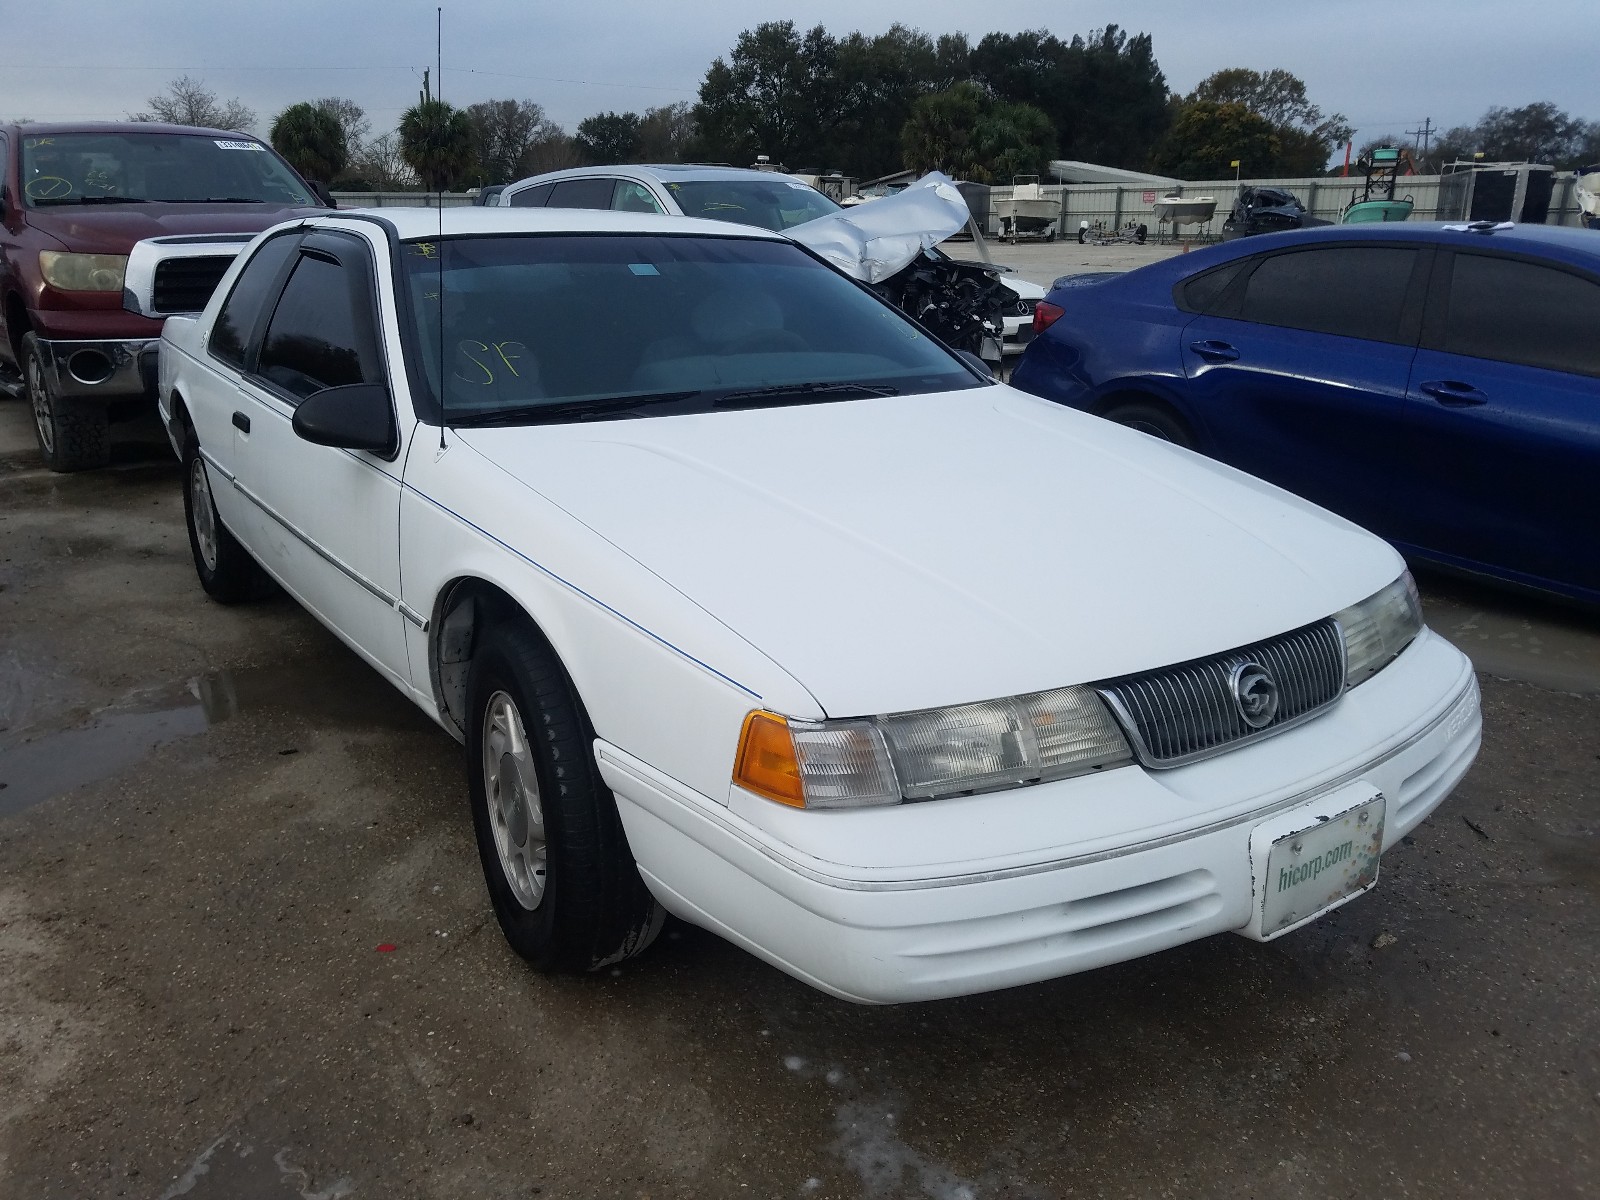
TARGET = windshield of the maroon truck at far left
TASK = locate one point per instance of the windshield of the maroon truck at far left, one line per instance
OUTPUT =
(79, 169)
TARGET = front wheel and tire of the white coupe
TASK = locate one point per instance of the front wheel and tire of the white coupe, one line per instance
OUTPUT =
(556, 860)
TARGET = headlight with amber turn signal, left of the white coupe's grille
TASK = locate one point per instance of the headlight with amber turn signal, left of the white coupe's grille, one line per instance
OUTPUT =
(926, 756)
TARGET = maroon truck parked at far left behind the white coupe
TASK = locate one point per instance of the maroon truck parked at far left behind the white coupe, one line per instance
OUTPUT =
(73, 202)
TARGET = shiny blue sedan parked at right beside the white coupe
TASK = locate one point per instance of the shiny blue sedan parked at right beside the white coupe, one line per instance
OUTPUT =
(1439, 385)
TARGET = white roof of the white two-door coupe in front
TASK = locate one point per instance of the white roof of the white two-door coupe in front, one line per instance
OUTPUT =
(474, 220)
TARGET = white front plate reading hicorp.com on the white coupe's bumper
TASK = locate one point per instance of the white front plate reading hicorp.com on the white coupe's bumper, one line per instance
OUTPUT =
(1329, 860)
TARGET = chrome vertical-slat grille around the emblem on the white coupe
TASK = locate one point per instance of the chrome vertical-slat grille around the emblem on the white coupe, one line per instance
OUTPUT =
(1177, 716)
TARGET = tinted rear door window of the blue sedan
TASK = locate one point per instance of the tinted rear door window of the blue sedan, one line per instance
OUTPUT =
(1354, 292)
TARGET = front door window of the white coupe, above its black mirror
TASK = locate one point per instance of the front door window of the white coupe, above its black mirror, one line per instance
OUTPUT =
(314, 337)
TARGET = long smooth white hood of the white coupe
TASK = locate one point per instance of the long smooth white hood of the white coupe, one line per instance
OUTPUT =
(921, 551)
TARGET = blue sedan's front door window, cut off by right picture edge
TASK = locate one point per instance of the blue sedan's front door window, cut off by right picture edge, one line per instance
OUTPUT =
(1521, 313)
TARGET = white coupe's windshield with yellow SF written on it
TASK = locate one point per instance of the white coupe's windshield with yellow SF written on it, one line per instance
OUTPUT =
(572, 327)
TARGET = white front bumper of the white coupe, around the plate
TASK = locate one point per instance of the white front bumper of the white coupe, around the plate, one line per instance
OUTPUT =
(1015, 910)
